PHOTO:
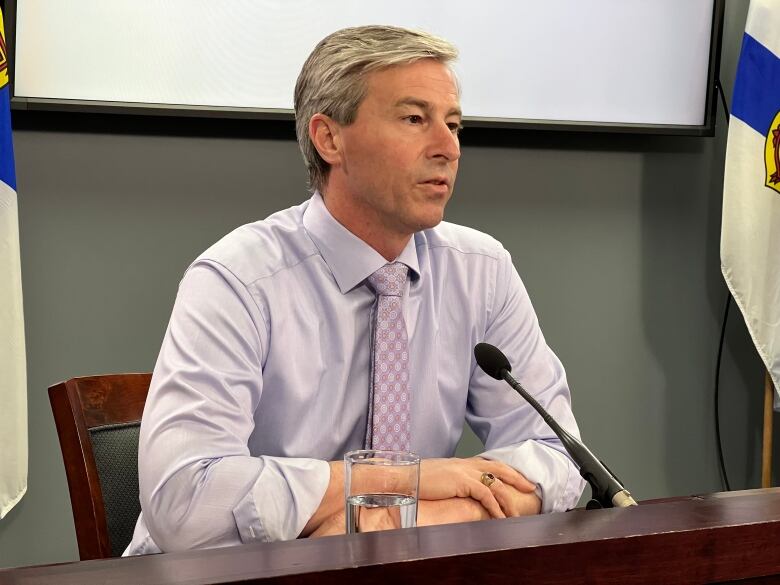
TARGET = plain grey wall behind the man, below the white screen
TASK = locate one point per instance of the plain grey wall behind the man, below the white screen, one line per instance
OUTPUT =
(616, 238)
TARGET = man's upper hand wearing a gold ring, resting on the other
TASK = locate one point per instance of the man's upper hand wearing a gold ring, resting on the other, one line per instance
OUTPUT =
(441, 479)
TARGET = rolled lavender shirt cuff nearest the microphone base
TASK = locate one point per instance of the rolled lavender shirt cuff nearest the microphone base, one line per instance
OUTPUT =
(558, 481)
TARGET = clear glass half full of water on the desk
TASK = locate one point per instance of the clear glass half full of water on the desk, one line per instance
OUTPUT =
(381, 490)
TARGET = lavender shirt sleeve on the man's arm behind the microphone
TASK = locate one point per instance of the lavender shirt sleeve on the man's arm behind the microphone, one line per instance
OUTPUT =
(509, 427)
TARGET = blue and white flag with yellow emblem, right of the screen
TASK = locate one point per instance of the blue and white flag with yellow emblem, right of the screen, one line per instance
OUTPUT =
(750, 236)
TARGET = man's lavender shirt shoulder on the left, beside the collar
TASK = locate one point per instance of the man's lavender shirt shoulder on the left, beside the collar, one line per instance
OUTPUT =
(262, 248)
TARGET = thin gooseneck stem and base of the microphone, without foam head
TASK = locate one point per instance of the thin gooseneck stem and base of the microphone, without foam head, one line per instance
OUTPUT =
(607, 491)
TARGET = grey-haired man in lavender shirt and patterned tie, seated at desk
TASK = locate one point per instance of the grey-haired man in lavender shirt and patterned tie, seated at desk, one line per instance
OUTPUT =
(269, 371)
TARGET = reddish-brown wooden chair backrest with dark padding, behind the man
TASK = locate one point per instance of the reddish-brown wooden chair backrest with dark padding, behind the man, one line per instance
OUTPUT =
(98, 420)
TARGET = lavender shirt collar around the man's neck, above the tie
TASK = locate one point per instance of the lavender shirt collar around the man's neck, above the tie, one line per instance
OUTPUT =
(349, 258)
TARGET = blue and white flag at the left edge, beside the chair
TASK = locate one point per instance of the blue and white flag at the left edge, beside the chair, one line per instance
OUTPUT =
(13, 373)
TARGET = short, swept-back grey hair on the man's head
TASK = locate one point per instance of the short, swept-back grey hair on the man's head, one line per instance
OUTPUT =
(332, 80)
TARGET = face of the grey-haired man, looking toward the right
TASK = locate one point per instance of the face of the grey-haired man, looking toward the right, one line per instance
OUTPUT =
(400, 155)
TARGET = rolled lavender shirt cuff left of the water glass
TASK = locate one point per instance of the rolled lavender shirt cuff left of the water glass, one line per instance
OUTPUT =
(285, 496)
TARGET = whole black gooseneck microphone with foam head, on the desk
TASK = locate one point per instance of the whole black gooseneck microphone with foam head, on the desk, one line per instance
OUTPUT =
(606, 489)
